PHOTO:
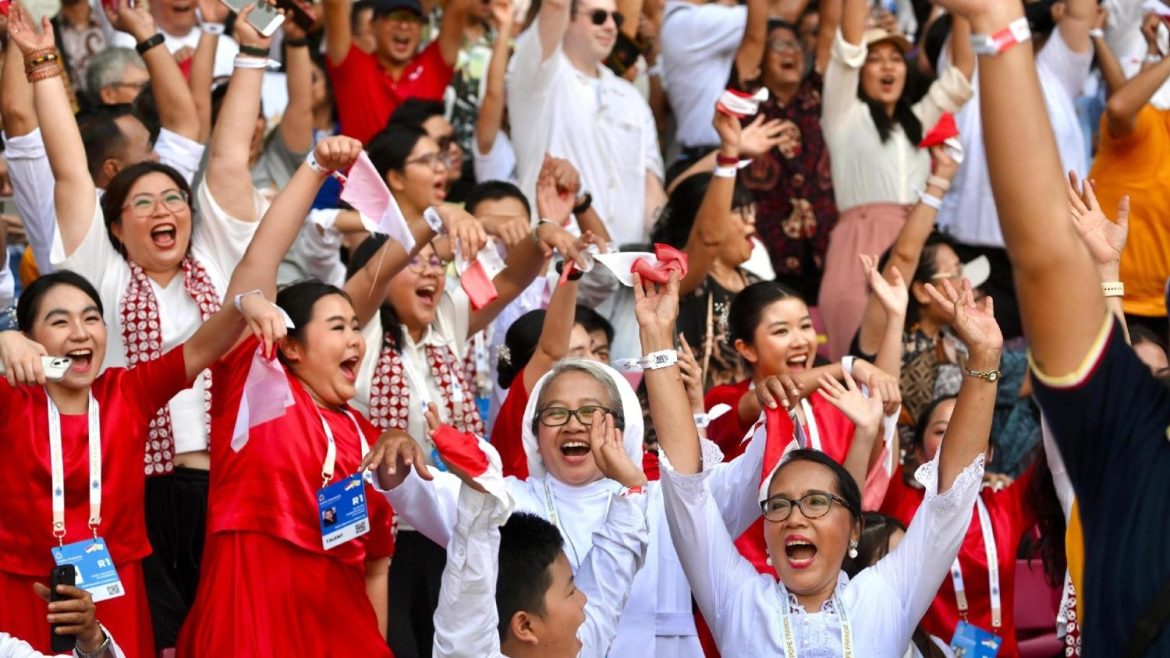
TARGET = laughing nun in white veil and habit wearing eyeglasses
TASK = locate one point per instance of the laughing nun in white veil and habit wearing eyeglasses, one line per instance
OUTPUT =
(568, 488)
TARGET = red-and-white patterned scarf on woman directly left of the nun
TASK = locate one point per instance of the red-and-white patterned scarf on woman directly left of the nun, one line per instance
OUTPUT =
(390, 392)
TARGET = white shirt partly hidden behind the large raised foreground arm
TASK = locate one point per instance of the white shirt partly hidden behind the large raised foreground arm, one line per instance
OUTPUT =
(969, 210)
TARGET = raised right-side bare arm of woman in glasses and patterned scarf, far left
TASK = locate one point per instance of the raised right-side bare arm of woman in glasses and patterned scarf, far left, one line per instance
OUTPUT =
(229, 169)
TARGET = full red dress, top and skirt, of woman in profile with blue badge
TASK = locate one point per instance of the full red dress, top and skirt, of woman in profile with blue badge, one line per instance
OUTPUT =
(269, 587)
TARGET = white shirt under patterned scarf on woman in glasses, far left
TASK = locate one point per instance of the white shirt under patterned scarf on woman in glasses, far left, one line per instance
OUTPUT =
(218, 243)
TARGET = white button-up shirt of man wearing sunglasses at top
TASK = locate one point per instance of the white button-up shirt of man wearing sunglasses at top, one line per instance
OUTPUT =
(601, 125)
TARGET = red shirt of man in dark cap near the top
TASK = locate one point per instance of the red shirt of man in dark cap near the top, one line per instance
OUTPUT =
(367, 97)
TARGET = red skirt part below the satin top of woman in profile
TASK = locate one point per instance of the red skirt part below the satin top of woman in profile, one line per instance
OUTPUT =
(264, 598)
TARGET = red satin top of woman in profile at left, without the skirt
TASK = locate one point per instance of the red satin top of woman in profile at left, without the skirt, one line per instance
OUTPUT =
(271, 485)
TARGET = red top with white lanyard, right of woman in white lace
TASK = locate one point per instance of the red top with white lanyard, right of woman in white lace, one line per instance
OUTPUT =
(1011, 519)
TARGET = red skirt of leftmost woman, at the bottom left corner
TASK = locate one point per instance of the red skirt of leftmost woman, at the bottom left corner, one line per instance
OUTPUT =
(128, 618)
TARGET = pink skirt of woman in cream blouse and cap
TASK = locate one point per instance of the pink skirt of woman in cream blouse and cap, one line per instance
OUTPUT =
(870, 230)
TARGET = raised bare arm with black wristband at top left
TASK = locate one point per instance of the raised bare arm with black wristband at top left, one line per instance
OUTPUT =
(176, 107)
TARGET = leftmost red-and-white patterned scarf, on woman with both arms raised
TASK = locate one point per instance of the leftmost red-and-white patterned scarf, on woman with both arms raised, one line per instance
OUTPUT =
(142, 333)
